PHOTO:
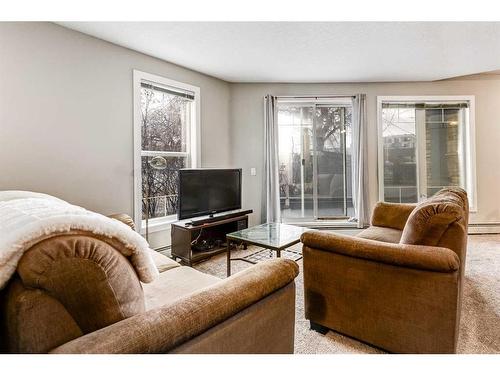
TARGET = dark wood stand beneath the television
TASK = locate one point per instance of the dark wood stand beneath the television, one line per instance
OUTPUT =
(194, 243)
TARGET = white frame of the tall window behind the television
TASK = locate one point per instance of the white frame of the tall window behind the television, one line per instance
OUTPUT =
(193, 144)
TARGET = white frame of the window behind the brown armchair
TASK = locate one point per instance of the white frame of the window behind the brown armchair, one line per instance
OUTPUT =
(470, 144)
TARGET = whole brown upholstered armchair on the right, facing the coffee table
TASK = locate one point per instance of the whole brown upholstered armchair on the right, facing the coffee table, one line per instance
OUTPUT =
(397, 285)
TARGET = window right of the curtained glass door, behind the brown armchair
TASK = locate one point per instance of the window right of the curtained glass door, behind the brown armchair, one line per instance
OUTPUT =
(425, 144)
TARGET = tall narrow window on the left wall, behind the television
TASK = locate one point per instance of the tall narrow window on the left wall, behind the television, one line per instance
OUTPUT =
(166, 117)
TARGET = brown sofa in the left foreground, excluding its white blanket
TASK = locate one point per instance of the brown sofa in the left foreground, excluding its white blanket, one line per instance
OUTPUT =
(76, 293)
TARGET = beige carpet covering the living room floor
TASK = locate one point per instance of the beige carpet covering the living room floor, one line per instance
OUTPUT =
(480, 323)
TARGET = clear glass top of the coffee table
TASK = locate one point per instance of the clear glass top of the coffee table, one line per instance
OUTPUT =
(270, 235)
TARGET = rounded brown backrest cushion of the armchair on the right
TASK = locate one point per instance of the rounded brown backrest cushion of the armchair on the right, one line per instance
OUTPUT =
(440, 221)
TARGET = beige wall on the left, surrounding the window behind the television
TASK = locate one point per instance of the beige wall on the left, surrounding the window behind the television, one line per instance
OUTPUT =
(66, 115)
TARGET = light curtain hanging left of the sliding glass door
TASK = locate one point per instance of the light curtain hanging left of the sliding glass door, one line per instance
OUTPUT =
(271, 197)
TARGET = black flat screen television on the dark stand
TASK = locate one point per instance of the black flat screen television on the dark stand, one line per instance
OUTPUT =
(208, 191)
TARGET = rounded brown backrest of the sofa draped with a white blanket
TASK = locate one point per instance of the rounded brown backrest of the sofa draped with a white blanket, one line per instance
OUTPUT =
(65, 287)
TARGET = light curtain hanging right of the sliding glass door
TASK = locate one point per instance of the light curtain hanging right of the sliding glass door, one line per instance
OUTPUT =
(359, 165)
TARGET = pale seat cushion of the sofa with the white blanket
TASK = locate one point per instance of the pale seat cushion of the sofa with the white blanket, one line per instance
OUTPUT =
(174, 284)
